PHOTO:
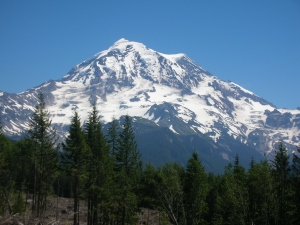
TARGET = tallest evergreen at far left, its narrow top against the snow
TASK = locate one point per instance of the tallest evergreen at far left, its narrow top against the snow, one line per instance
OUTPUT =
(44, 158)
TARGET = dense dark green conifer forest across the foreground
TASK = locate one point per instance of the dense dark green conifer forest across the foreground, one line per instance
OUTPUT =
(106, 173)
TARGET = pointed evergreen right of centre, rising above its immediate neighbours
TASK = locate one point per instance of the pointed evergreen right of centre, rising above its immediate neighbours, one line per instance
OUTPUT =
(195, 191)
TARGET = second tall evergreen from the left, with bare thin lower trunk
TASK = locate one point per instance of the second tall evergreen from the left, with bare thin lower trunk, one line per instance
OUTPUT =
(75, 151)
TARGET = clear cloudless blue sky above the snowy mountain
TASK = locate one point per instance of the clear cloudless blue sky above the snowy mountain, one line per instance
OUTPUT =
(255, 44)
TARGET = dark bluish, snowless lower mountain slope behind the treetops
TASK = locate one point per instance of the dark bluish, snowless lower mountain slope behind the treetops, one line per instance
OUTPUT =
(160, 145)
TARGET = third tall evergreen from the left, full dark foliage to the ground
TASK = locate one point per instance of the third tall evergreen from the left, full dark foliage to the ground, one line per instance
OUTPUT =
(100, 172)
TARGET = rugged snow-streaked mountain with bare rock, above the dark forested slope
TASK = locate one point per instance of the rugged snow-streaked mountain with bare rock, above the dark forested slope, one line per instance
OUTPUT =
(170, 90)
